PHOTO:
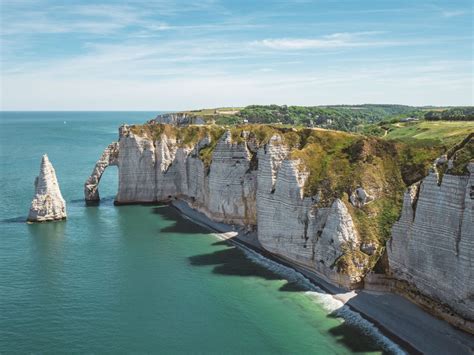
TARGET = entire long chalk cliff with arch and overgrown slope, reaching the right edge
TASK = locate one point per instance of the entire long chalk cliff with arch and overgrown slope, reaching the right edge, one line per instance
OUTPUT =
(323, 200)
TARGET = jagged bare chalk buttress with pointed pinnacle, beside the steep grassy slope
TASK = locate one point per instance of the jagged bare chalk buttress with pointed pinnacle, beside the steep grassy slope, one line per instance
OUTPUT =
(292, 226)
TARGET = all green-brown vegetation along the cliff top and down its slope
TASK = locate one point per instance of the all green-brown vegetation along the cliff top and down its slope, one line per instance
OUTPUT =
(338, 163)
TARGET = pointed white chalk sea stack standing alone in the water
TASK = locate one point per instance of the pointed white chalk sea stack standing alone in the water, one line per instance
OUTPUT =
(48, 203)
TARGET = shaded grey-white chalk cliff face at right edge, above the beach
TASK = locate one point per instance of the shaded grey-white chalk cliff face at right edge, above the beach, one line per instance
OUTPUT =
(432, 245)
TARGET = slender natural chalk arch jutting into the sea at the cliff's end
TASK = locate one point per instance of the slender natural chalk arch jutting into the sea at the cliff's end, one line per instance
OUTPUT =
(108, 157)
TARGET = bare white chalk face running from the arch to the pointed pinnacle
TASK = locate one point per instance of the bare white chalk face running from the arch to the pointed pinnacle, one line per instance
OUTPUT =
(245, 184)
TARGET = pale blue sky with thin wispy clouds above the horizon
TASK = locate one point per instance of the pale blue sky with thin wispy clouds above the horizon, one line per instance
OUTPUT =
(176, 55)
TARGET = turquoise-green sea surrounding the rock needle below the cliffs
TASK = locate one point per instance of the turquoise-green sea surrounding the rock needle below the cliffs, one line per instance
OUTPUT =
(140, 278)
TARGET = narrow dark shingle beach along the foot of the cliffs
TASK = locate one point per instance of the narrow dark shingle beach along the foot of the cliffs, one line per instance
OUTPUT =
(401, 321)
